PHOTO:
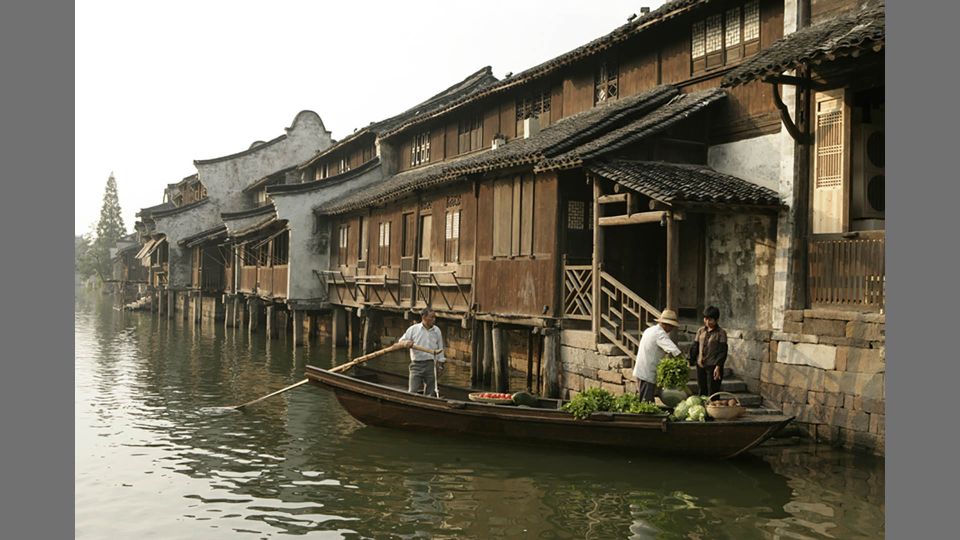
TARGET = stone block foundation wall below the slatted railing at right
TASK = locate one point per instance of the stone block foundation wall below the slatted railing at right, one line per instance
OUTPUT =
(828, 369)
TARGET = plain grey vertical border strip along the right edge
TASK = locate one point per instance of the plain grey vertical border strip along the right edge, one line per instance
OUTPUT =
(921, 270)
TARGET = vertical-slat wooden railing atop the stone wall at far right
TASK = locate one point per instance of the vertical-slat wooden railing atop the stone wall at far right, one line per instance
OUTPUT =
(847, 271)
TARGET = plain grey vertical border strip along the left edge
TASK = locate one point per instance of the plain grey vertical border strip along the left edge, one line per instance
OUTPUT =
(36, 52)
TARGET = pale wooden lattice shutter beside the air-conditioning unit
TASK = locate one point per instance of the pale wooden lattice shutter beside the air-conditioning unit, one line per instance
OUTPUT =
(831, 162)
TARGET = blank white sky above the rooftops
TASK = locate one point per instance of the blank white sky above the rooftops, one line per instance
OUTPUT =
(159, 85)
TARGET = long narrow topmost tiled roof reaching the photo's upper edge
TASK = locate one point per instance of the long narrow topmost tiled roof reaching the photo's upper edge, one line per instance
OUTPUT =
(636, 26)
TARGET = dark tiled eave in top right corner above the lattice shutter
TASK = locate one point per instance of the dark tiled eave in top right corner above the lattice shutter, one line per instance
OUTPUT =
(842, 36)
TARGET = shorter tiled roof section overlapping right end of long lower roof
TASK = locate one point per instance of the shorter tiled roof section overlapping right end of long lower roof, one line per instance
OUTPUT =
(679, 108)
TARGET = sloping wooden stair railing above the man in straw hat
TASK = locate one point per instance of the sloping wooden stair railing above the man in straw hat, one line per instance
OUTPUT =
(623, 315)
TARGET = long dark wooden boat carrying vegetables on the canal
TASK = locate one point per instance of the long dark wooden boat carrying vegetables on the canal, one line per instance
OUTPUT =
(379, 398)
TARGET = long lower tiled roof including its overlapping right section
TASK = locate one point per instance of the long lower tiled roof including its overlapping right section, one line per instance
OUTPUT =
(617, 123)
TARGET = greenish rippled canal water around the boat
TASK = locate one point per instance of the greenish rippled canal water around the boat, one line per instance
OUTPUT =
(156, 457)
